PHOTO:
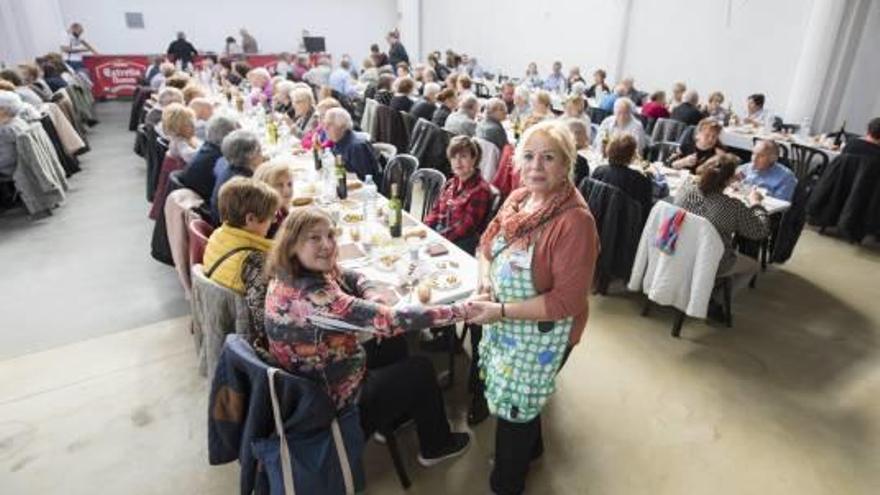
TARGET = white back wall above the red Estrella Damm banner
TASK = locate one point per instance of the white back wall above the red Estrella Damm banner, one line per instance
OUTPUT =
(350, 26)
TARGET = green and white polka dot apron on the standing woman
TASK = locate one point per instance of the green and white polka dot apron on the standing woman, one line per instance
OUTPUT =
(519, 358)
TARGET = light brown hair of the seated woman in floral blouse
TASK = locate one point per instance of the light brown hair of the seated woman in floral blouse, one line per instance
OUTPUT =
(281, 261)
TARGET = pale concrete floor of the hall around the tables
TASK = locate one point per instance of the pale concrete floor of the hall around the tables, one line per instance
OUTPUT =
(786, 402)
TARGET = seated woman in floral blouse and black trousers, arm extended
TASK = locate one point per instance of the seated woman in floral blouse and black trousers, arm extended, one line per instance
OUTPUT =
(314, 312)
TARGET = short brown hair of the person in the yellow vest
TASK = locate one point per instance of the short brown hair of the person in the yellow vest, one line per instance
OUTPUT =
(242, 195)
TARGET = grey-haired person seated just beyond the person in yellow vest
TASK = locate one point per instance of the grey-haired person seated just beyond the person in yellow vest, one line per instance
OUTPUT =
(241, 156)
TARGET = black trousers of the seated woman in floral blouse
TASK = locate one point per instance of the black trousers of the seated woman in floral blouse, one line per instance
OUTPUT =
(405, 389)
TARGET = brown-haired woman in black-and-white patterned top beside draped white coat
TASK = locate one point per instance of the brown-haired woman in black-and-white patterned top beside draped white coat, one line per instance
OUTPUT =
(729, 215)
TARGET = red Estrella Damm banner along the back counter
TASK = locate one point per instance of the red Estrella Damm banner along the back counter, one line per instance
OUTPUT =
(115, 76)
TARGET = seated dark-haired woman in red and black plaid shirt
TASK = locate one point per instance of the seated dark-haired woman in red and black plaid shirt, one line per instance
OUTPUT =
(465, 200)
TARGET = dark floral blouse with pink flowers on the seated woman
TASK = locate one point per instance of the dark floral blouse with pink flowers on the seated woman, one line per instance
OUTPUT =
(304, 346)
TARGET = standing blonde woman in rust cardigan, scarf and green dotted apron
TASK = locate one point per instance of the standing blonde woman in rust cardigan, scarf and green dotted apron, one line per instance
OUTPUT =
(536, 260)
